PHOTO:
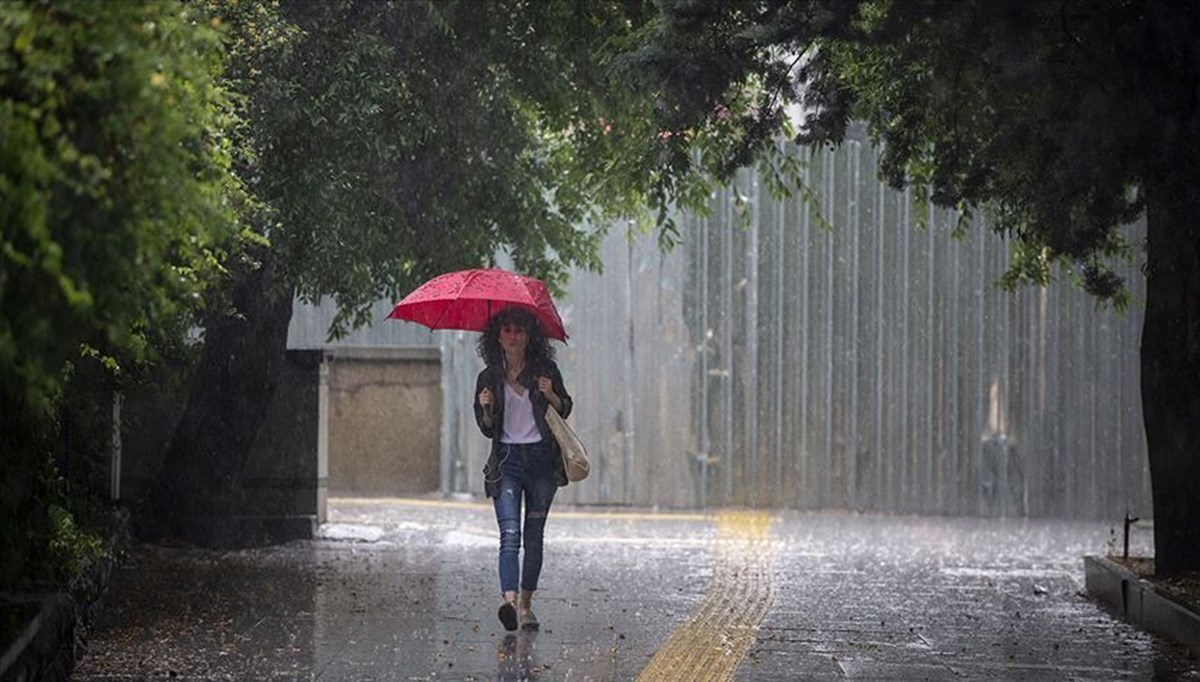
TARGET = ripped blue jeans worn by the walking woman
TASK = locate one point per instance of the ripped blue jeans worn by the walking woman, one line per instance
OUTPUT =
(526, 472)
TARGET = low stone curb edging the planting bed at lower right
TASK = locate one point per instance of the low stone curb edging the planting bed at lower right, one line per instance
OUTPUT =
(1137, 601)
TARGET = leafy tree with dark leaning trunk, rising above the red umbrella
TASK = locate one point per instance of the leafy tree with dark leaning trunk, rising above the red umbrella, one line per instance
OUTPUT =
(392, 142)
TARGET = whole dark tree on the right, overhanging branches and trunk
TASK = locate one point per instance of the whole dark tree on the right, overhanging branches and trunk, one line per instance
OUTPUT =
(1064, 121)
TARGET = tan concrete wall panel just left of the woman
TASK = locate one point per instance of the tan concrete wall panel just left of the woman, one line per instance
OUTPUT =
(386, 421)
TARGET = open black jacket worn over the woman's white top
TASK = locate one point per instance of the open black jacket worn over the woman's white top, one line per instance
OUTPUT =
(494, 379)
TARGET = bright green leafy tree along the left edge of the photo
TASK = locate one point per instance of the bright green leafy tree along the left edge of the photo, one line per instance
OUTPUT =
(115, 195)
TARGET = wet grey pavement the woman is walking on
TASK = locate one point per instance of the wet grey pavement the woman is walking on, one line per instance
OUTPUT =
(407, 590)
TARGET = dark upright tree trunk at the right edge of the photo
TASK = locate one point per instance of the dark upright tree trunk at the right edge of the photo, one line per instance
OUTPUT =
(1171, 369)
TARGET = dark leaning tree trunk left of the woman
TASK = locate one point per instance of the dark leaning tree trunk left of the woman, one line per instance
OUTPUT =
(199, 493)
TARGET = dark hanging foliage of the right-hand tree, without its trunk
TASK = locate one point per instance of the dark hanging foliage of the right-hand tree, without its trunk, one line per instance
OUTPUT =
(1049, 113)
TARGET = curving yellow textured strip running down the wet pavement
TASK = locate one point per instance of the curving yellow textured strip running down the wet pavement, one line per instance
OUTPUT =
(715, 639)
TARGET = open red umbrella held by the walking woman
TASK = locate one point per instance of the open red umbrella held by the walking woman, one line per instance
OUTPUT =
(467, 300)
